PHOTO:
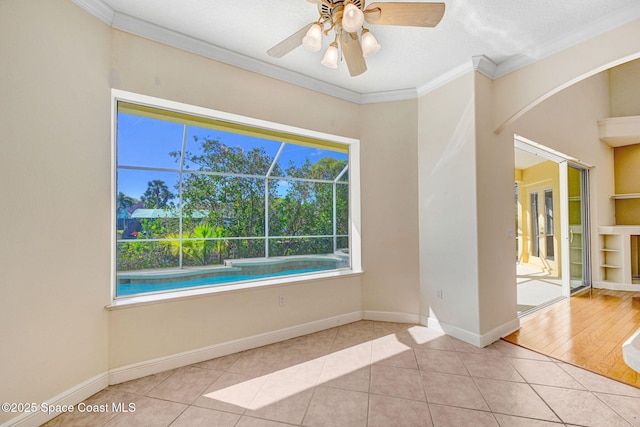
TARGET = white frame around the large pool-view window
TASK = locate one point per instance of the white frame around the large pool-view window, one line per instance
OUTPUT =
(354, 198)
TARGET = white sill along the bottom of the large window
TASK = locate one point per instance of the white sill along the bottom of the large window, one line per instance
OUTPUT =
(170, 296)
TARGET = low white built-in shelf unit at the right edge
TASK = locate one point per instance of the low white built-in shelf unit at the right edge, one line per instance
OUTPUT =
(617, 261)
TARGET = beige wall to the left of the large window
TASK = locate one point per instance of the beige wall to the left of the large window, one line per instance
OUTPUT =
(55, 192)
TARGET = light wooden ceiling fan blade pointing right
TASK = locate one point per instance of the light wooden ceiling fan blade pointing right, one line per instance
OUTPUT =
(409, 14)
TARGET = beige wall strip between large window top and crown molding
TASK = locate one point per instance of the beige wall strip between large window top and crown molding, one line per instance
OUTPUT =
(142, 66)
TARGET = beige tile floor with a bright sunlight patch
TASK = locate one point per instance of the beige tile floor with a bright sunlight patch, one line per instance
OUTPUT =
(371, 374)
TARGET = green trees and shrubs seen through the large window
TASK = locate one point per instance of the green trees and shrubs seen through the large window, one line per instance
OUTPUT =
(218, 209)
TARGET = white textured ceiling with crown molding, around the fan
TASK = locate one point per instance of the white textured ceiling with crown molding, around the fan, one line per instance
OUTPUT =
(510, 33)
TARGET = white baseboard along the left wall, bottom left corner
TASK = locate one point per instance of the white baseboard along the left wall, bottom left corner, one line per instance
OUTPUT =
(73, 396)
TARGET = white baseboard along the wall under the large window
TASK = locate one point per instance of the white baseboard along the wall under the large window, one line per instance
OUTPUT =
(150, 367)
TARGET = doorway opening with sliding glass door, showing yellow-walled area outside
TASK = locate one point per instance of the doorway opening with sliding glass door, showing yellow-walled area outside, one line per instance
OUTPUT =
(551, 209)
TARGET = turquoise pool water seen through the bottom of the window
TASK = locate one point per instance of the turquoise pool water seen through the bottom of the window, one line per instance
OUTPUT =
(126, 289)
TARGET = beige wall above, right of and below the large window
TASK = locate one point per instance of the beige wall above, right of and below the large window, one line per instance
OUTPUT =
(388, 146)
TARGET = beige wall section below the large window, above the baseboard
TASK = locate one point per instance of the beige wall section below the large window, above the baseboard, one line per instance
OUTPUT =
(147, 332)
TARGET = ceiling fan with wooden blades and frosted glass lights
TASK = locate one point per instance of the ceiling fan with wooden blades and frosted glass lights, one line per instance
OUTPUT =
(346, 18)
